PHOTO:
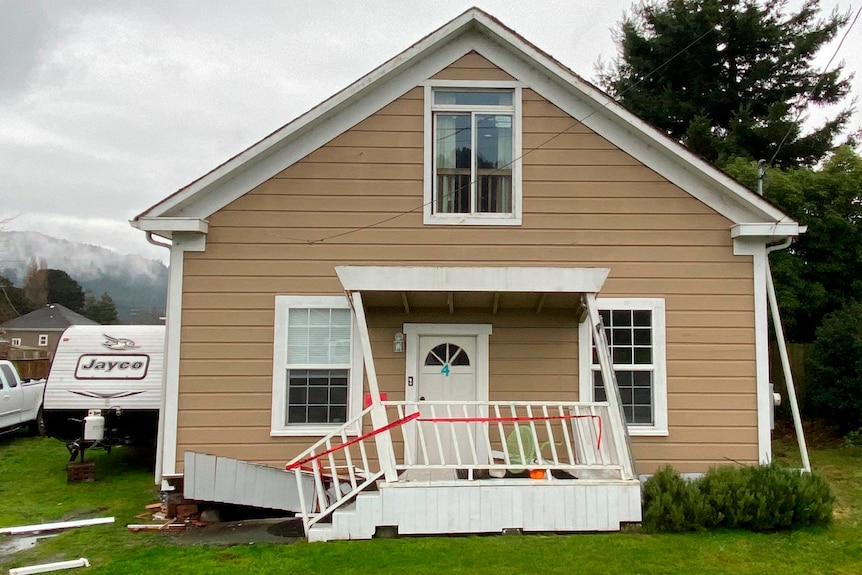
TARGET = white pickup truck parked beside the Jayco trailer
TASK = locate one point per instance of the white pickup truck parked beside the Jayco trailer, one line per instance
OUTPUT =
(20, 401)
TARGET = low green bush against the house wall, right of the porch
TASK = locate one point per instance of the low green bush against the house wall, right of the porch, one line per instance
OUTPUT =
(761, 498)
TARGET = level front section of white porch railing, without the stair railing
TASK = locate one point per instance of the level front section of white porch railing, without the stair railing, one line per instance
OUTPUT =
(554, 440)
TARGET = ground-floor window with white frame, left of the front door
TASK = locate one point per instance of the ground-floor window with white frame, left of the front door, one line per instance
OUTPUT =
(317, 369)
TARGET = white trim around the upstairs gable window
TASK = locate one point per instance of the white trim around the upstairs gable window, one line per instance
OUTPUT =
(513, 219)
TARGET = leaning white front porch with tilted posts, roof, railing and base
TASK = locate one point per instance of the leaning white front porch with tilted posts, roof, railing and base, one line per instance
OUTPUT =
(446, 460)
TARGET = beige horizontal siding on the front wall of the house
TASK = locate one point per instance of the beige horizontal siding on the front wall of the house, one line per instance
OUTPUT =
(586, 203)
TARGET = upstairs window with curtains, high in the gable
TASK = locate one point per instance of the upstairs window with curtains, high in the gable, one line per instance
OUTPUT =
(473, 140)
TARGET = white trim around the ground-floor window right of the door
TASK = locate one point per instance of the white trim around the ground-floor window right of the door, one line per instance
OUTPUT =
(585, 342)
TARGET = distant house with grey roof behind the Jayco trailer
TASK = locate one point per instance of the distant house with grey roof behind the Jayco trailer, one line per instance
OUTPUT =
(42, 328)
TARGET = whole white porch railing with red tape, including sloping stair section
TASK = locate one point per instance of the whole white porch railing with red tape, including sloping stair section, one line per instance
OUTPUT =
(475, 440)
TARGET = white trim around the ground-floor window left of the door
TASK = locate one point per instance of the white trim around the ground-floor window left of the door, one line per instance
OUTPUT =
(279, 376)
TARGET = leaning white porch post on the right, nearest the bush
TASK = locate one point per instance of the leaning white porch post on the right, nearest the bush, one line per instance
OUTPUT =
(612, 392)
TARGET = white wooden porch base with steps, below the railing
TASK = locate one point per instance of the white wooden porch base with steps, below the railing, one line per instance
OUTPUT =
(485, 507)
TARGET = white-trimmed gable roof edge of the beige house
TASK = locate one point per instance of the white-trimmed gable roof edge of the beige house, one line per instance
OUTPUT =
(474, 30)
